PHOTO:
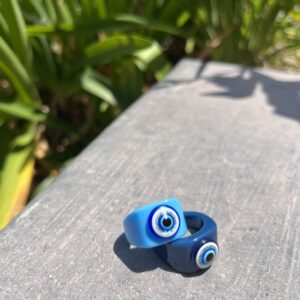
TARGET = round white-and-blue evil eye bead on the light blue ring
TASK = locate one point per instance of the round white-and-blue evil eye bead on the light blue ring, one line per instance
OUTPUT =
(165, 222)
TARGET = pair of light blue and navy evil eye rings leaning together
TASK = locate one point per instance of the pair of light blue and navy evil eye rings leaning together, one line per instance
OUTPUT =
(165, 227)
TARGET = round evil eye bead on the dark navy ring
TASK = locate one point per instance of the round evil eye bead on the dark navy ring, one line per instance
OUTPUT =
(206, 255)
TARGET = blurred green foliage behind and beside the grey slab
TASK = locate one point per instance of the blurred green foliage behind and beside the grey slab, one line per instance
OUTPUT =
(69, 67)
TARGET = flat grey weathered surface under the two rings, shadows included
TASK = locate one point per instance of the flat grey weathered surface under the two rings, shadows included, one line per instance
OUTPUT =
(226, 140)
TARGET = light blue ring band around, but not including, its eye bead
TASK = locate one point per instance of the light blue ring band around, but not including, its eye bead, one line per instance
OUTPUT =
(138, 228)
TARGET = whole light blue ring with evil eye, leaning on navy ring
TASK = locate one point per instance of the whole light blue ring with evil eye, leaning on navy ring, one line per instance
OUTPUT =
(155, 224)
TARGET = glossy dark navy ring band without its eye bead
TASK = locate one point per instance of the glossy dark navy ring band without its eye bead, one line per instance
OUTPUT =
(181, 254)
